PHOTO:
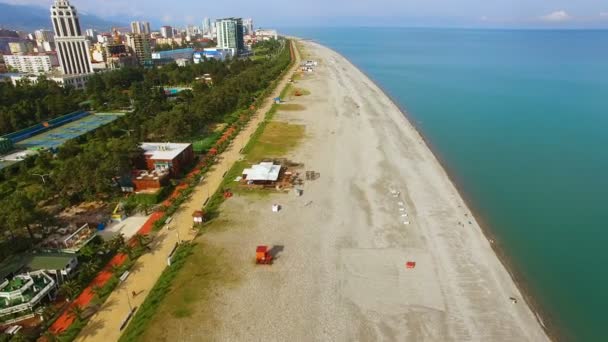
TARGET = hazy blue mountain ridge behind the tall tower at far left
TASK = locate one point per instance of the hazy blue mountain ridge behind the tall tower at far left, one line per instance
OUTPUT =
(30, 18)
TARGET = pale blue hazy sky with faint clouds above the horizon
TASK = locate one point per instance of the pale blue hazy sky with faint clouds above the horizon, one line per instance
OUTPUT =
(472, 13)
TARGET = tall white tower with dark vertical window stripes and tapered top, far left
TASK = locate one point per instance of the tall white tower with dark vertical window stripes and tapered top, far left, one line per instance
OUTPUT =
(72, 46)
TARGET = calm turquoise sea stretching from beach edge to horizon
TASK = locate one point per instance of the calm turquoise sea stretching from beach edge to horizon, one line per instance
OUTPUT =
(520, 120)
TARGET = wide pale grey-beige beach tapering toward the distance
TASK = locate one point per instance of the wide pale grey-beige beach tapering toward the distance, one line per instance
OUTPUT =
(382, 200)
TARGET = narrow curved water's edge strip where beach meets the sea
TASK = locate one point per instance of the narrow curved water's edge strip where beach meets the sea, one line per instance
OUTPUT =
(542, 316)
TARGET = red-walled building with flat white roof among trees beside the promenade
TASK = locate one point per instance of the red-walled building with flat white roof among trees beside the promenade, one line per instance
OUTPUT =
(168, 156)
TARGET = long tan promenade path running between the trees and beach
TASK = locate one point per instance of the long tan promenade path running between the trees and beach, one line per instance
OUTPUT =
(104, 325)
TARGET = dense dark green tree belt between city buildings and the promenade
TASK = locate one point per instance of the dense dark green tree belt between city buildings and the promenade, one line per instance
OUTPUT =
(88, 168)
